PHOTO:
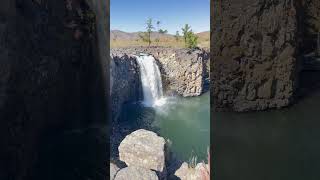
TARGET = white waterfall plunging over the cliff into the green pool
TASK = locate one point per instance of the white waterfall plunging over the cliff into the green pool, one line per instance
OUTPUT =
(151, 80)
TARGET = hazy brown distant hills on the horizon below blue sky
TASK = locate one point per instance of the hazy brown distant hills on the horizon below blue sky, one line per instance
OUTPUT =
(126, 36)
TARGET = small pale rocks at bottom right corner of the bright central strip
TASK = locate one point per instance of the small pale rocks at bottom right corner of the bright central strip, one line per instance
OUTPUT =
(196, 173)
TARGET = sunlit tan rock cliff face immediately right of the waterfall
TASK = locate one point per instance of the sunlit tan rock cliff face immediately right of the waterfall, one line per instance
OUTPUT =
(185, 71)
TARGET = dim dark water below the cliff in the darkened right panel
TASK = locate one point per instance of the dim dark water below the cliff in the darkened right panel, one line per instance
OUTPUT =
(275, 144)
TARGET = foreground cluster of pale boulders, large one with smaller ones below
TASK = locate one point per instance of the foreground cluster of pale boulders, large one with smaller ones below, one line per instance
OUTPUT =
(144, 154)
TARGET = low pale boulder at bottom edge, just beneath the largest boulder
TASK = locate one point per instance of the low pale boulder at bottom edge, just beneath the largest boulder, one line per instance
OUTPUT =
(136, 173)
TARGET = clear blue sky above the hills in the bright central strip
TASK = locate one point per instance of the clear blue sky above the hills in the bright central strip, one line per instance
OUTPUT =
(131, 15)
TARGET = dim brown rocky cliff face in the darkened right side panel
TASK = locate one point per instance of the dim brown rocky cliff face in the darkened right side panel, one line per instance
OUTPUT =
(254, 52)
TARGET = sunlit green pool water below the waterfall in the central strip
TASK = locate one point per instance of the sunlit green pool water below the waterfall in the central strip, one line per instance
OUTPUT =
(185, 122)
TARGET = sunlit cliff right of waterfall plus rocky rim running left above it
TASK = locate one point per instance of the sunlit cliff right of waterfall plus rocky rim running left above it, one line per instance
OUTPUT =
(184, 72)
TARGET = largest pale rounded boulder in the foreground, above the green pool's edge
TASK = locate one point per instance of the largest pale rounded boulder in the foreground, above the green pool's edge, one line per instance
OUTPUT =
(144, 149)
